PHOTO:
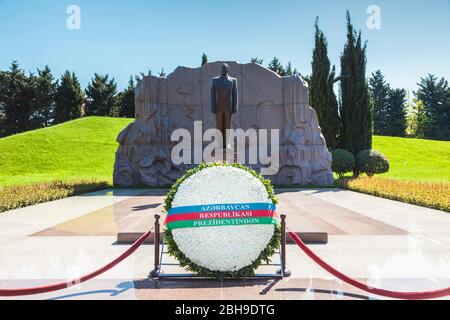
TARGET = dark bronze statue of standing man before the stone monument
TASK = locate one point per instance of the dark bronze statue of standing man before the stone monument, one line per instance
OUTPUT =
(224, 101)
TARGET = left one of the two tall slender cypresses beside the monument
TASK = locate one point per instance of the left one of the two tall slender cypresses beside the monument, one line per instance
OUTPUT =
(322, 96)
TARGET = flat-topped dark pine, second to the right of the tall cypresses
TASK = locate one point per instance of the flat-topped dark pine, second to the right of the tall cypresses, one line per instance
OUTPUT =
(396, 113)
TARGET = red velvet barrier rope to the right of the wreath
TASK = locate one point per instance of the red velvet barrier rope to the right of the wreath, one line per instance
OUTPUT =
(382, 292)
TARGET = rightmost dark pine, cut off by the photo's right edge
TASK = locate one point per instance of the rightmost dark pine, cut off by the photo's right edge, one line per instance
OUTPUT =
(434, 94)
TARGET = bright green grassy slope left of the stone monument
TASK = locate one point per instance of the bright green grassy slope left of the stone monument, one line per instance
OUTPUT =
(83, 148)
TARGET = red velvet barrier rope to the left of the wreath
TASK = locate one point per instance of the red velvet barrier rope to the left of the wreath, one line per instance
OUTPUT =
(73, 282)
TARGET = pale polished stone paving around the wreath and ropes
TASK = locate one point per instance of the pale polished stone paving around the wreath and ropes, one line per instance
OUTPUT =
(382, 242)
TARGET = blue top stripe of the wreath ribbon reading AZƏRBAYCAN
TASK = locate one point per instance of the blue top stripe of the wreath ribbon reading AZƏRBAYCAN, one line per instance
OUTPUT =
(222, 207)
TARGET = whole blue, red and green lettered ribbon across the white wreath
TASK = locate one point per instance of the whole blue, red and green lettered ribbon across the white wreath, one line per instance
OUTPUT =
(221, 215)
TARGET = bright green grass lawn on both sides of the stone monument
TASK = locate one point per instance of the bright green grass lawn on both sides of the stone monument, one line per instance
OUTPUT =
(85, 148)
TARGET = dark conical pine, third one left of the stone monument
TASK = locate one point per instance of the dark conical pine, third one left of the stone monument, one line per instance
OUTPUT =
(68, 99)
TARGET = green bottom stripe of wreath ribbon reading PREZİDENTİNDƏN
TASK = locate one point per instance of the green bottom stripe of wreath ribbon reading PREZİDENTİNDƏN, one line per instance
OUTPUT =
(220, 222)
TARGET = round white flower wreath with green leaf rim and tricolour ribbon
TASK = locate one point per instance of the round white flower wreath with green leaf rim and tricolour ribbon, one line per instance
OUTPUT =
(236, 231)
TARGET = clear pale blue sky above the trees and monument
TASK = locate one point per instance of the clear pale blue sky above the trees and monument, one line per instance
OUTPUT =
(126, 37)
